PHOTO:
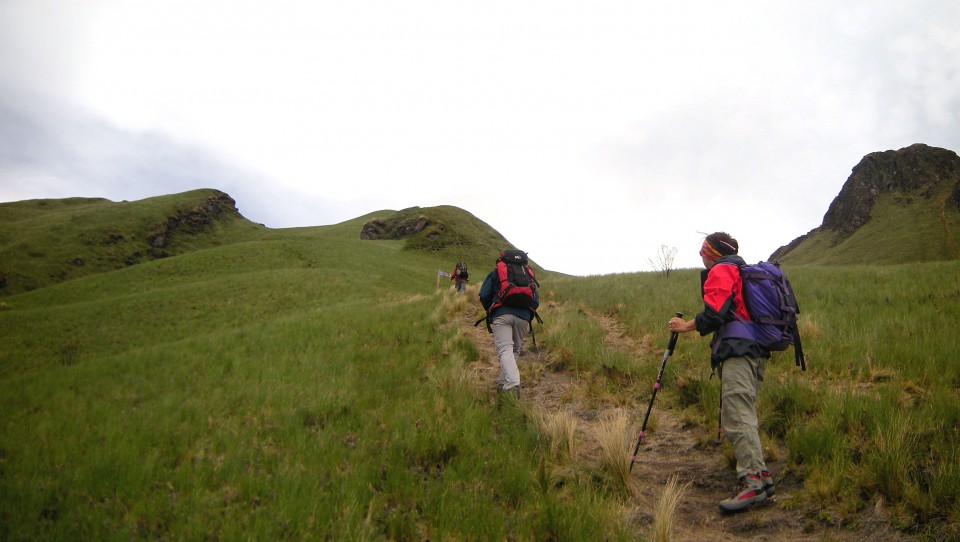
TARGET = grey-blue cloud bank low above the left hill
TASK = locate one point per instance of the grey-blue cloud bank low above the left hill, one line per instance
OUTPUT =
(47, 151)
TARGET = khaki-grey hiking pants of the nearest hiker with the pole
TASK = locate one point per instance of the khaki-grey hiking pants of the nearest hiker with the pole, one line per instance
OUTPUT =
(740, 379)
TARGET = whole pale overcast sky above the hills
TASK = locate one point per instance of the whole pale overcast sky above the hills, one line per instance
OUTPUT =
(593, 135)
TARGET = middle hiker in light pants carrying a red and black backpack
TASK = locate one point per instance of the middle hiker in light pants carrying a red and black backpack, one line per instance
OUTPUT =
(509, 295)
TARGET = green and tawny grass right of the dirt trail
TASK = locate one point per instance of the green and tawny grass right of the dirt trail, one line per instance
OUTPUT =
(876, 414)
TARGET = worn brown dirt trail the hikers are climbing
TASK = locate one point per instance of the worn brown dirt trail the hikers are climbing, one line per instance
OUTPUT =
(668, 450)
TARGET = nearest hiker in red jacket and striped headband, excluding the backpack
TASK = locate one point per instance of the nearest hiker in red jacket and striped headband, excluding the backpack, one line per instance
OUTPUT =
(739, 361)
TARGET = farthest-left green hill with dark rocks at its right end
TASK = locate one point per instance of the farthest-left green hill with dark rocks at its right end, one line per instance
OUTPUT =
(43, 242)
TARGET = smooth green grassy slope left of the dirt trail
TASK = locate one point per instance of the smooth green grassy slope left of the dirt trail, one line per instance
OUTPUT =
(301, 385)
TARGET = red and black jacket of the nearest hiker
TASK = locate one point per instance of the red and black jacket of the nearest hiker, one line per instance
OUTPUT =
(722, 291)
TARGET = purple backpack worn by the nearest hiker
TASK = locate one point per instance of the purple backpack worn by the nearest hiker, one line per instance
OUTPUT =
(773, 308)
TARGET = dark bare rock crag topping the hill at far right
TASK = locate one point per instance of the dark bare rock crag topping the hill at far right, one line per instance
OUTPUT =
(915, 171)
